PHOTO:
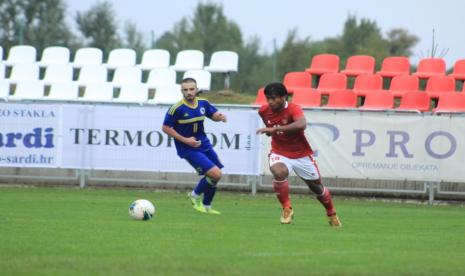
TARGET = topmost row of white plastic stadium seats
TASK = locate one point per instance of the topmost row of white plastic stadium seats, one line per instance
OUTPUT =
(220, 62)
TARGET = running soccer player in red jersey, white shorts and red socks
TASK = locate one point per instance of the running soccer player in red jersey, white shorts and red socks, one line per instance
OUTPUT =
(285, 123)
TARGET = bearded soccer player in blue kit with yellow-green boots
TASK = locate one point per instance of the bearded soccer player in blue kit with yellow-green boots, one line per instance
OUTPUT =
(184, 122)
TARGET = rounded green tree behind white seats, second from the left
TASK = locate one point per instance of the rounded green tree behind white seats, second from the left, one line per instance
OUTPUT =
(99, 27)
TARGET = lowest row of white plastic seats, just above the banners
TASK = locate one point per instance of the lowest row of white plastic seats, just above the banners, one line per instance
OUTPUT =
(93, 92)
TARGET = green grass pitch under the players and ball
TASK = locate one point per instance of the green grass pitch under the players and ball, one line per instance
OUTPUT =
(67, 231)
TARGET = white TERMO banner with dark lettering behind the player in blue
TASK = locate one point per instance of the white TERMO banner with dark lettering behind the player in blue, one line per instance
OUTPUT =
(130, 138)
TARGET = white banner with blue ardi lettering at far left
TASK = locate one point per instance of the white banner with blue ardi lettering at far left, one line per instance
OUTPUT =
(29, 135)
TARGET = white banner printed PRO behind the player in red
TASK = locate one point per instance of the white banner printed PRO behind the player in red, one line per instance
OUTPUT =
(371, 145)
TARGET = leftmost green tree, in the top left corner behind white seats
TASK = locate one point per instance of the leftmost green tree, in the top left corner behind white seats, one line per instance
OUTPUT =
(40, 23)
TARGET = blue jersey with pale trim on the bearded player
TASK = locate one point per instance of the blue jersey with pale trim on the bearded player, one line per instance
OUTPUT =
(188, 121)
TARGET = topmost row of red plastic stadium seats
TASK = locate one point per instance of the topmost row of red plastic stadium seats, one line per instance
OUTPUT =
(390, 67)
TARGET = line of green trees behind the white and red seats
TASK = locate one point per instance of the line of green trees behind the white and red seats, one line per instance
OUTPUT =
(42, 23)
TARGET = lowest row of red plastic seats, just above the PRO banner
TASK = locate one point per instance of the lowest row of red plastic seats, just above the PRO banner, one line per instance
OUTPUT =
(417, 101)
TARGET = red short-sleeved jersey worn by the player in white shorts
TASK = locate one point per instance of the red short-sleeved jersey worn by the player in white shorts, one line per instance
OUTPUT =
(289, 144)
